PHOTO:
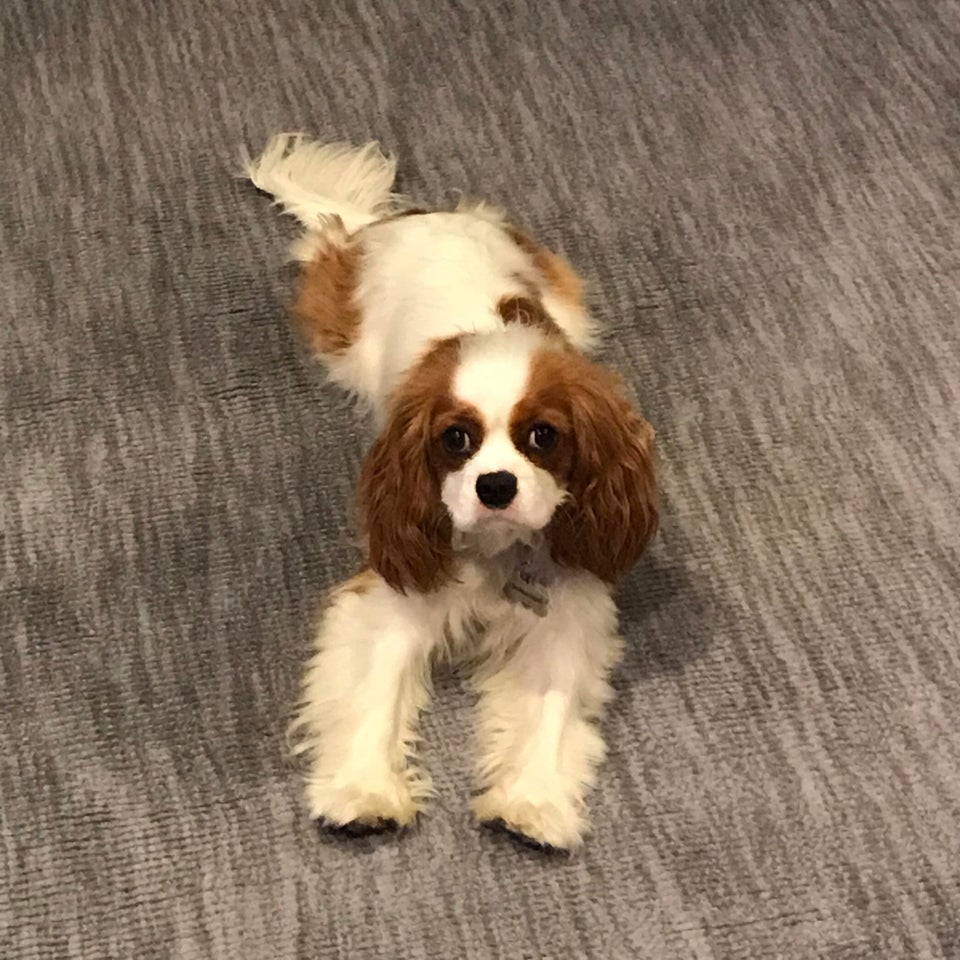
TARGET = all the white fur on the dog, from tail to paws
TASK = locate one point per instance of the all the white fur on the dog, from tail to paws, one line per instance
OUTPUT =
(543, 681)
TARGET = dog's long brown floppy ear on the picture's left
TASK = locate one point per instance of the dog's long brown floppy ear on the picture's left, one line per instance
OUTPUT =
(408, 529)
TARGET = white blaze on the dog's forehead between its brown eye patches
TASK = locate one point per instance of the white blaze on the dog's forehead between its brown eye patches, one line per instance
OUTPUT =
(494, 371)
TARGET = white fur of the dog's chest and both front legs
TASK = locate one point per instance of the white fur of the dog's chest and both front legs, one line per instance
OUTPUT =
(542, 683)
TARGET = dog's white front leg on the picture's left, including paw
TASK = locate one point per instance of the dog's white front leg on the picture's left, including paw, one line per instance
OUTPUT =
(362, 693)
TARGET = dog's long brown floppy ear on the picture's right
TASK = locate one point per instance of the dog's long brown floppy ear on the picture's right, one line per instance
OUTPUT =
(611, 513)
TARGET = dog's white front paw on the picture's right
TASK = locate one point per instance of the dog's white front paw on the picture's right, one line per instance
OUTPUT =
(555, 823)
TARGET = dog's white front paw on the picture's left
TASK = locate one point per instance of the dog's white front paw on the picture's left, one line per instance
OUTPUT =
(365, 805)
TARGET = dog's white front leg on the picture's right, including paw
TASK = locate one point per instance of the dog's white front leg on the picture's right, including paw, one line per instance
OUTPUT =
(539, 744)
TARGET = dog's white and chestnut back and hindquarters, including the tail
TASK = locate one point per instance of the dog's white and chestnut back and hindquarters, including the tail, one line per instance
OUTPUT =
(380, 282)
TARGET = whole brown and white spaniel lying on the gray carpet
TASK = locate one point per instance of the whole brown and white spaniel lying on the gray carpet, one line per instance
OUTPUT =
(510, 487)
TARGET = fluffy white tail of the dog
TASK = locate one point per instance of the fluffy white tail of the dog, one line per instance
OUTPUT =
(317, 182)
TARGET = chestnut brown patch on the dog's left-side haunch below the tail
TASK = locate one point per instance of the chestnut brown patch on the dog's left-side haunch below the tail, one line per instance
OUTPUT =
(325, 310)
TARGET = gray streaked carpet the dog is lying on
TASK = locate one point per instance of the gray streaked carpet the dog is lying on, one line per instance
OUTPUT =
(763, 196)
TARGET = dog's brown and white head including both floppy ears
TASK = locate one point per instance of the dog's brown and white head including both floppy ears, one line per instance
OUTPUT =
(499, 434)
